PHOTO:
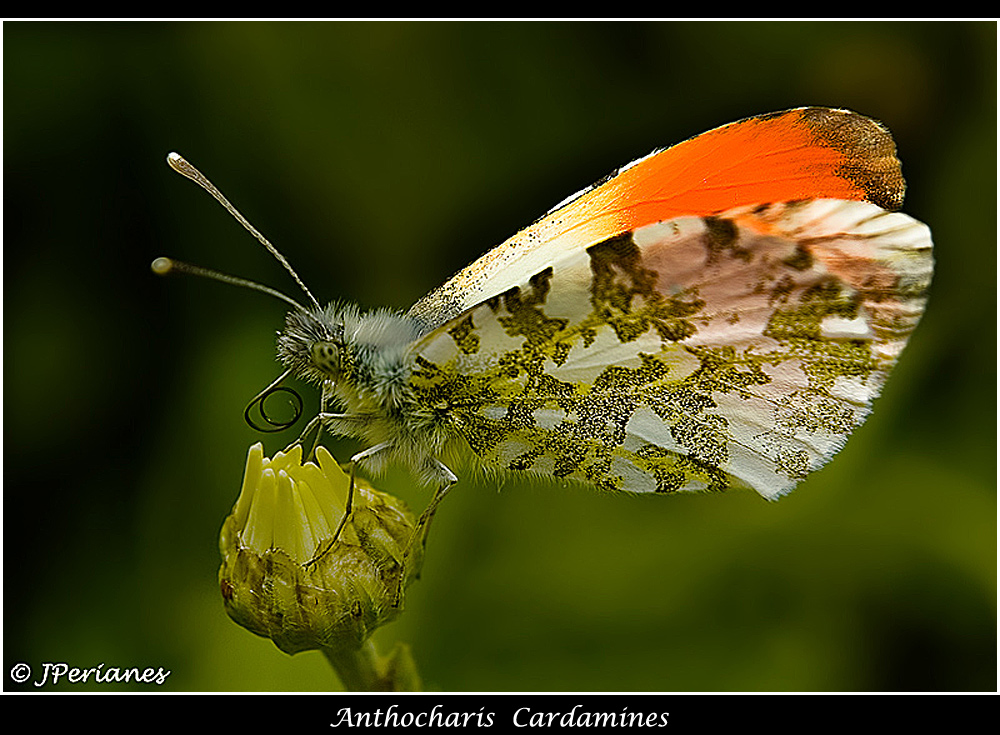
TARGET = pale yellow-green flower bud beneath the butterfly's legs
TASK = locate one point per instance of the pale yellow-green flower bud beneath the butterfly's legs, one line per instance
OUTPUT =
(285, 575)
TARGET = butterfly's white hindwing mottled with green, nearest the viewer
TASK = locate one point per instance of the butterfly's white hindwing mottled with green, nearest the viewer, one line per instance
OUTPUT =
(739, 350)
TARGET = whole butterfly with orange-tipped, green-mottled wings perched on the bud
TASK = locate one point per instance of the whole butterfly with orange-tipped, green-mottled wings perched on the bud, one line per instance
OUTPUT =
(720, 313)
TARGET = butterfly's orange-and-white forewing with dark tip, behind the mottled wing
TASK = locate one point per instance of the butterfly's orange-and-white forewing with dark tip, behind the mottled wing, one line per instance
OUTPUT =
(801, 154)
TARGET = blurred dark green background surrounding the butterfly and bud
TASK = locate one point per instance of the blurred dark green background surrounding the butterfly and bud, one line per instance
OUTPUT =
(381, 158)
